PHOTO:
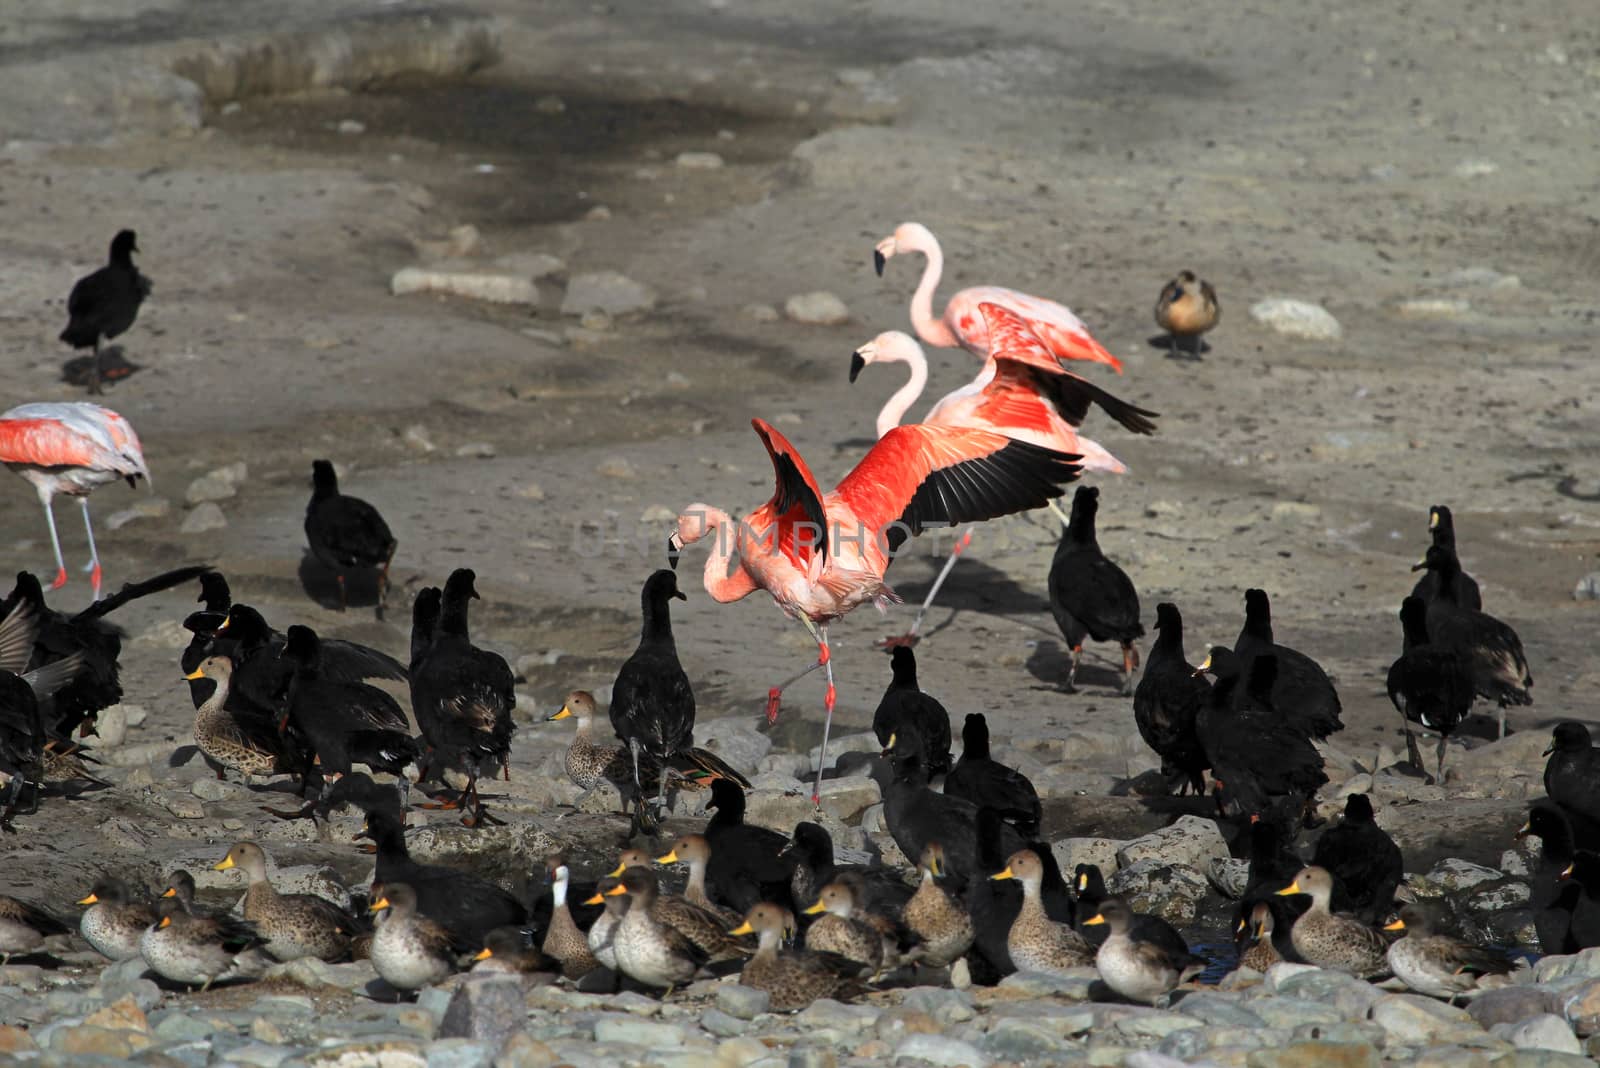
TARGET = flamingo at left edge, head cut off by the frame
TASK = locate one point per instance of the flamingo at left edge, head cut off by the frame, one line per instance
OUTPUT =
(71, 448)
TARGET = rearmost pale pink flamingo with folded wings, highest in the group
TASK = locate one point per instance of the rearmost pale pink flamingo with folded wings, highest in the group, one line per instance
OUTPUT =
(1063, 333)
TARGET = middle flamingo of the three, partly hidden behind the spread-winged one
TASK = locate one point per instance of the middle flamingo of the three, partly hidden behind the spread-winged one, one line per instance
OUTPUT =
(1023, 393)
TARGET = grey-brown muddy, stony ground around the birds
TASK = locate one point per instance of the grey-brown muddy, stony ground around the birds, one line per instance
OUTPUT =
(654, 196)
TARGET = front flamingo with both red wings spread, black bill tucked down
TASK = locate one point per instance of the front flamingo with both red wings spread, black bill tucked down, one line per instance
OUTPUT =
(820, 556)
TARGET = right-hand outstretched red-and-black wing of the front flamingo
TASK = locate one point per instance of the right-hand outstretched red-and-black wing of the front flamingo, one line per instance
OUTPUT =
(921, 476)
